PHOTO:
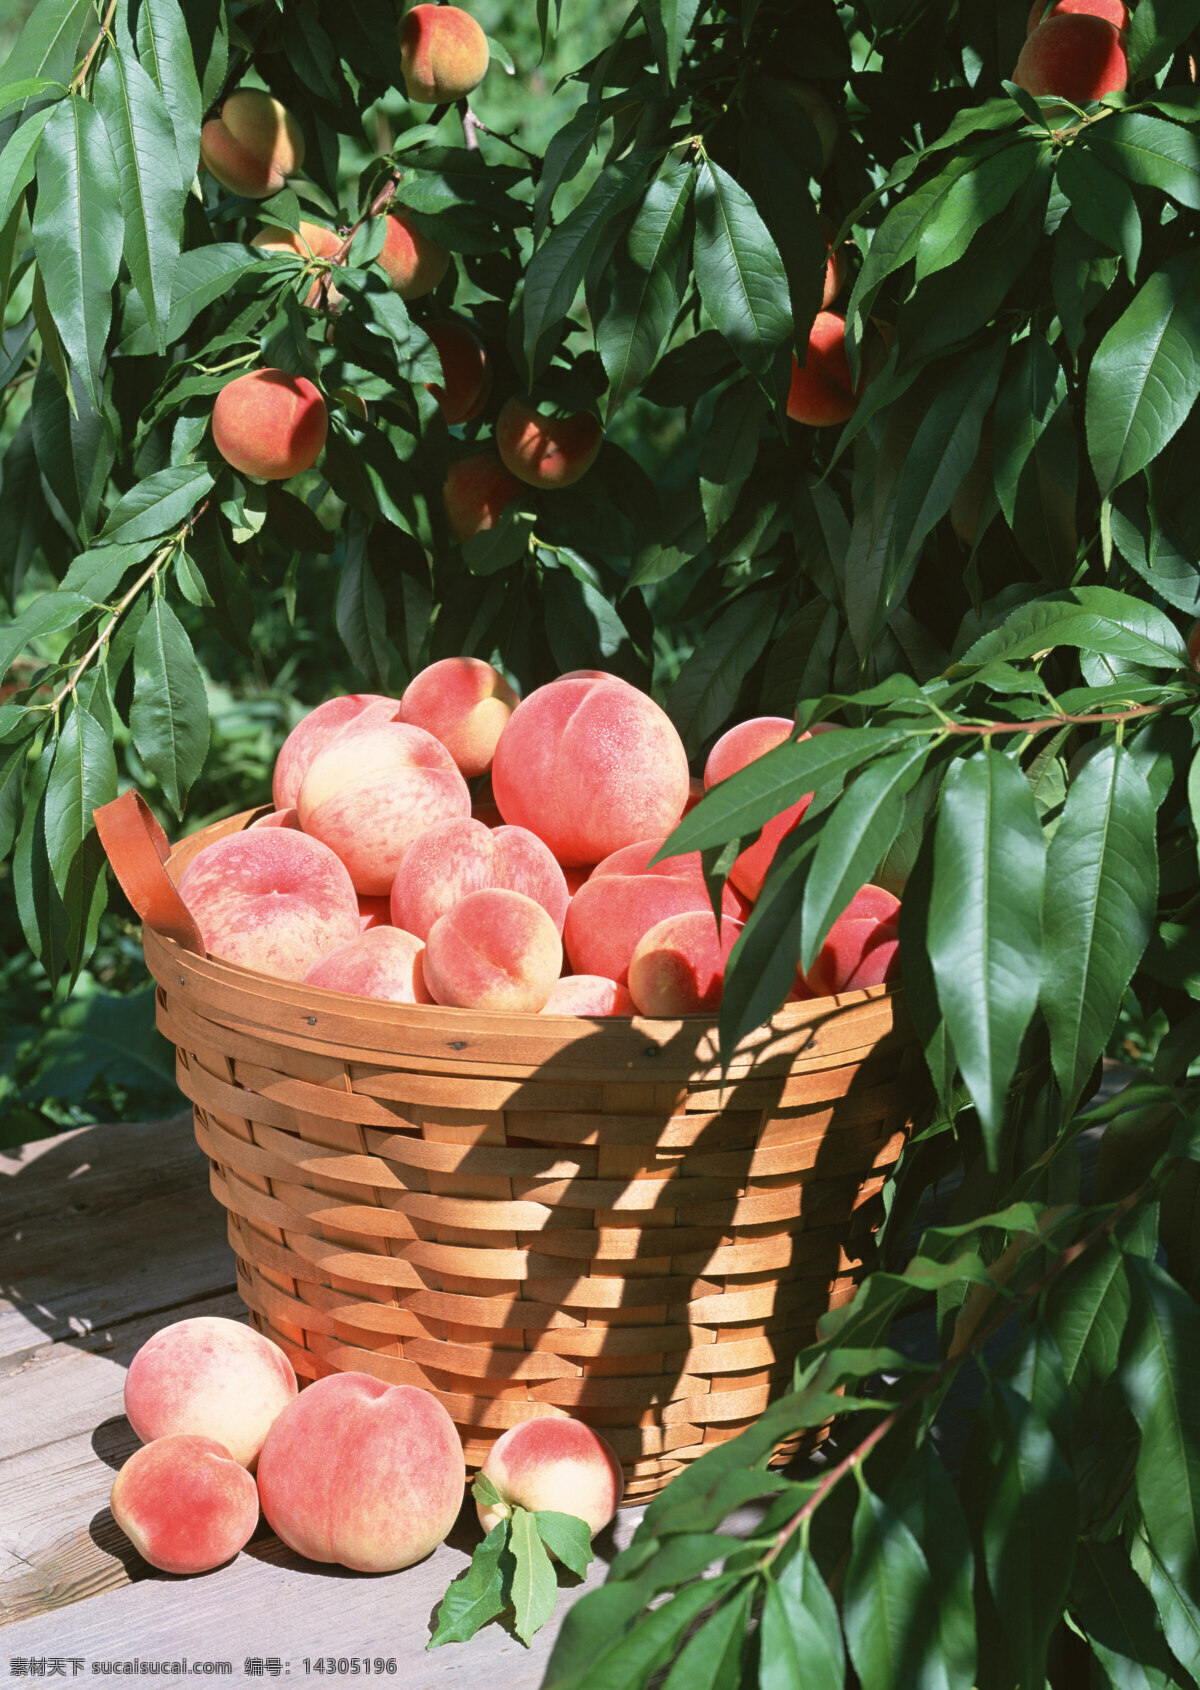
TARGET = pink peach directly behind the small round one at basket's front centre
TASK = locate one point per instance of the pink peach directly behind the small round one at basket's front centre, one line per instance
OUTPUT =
(466, 856)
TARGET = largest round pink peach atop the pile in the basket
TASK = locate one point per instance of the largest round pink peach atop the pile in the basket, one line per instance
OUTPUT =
(591, 765)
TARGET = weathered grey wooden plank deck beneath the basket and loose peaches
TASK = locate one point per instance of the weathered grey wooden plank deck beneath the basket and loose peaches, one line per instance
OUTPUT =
(106, 1236)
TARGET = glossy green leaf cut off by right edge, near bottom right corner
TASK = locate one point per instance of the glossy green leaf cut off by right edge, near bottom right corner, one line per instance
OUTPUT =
(1160, 1377)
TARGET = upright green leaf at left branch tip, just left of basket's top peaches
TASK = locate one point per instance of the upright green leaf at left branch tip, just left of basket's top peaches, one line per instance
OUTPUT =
(170, 712)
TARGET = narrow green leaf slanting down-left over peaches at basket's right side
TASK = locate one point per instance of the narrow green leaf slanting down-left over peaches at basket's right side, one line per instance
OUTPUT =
(854, 839)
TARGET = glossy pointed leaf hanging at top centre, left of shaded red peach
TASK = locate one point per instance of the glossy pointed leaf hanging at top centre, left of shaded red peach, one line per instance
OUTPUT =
(741, 278)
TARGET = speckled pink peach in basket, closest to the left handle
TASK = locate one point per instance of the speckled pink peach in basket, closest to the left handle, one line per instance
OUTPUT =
(271, 900)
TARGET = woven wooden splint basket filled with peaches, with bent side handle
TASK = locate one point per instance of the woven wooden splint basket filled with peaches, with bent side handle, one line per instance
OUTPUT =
(538, 1216)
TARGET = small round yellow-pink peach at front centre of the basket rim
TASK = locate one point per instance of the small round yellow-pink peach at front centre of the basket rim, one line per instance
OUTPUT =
(494, 951)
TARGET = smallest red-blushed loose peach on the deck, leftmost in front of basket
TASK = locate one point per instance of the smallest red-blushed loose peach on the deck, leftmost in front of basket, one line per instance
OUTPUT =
(185, 1503)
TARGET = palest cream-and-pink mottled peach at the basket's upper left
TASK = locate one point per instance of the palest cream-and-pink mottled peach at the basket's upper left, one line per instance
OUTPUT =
(369, 795)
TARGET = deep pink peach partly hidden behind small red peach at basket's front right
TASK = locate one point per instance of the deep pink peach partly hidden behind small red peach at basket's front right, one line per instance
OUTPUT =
(625, 898)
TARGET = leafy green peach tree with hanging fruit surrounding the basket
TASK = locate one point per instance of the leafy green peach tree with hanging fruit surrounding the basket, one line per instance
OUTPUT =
(892, 329)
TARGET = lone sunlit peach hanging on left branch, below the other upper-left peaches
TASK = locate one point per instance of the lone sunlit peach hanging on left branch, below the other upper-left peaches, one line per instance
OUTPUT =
(270, 425)
